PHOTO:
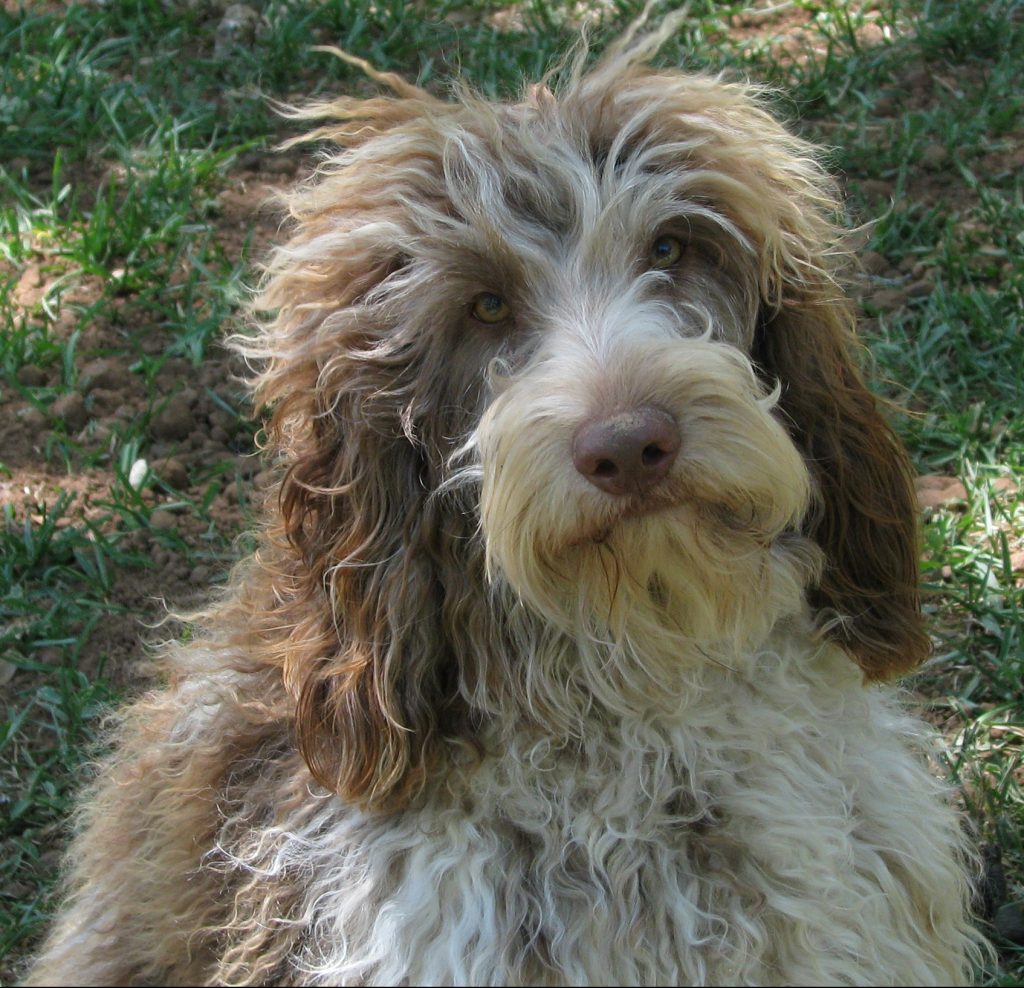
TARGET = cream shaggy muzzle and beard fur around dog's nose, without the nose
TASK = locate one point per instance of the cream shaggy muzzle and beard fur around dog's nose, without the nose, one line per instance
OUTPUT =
(708, 556)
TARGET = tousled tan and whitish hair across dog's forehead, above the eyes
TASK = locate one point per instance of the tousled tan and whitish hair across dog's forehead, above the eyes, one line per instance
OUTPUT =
(583, 181)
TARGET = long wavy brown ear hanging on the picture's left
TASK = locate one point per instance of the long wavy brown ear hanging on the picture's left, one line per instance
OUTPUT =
(374, 673)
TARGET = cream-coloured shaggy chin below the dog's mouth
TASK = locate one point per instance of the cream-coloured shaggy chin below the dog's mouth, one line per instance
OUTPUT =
(667, 568)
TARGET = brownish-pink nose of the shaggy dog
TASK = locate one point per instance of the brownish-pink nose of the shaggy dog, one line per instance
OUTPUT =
(627, 453)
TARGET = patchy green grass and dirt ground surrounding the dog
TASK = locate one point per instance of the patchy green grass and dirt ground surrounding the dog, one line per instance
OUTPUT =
(123, 133)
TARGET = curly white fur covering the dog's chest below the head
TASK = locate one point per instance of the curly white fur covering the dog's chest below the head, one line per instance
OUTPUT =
(750, 842)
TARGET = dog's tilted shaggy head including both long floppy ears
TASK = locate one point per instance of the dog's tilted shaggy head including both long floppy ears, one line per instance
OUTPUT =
(589, 351)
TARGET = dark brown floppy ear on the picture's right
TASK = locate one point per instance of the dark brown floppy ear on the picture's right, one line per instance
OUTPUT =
(867, 521)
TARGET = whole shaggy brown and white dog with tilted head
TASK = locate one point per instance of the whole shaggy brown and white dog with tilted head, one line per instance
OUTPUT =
(559, 662)
